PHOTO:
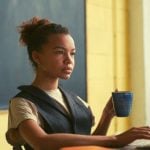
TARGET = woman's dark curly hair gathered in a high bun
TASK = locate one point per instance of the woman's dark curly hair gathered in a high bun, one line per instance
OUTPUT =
(35, 32)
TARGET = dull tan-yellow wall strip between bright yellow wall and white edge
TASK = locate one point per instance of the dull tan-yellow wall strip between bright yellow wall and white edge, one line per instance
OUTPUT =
(137, 50)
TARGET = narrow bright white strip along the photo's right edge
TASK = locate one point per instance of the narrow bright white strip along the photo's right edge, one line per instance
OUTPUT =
(146, 27)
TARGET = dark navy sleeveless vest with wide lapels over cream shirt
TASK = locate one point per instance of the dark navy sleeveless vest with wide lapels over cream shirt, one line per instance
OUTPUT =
(56, 119)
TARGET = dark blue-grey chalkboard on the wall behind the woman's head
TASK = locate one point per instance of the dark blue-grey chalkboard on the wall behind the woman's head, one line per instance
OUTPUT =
(15, 68)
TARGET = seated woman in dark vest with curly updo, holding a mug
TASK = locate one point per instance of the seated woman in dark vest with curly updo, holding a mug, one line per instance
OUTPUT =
(44, 116)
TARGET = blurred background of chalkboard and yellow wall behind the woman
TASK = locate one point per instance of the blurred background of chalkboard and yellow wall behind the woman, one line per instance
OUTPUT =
(112, 40)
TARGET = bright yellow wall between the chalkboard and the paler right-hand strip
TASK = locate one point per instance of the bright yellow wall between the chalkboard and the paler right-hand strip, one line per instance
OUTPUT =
(107, 55)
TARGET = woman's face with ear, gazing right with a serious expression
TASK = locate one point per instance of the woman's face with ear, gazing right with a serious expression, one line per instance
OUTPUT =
(56, 59)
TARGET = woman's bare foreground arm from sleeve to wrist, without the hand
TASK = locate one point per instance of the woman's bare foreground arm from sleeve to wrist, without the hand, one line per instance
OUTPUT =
(35, 136)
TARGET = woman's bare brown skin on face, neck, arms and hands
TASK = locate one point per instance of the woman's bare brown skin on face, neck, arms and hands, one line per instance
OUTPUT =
(54, 61)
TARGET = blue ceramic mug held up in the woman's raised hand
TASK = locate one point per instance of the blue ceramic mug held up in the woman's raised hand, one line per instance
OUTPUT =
(122, 102)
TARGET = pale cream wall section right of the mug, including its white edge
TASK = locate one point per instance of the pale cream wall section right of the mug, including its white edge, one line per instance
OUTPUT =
(140, 54)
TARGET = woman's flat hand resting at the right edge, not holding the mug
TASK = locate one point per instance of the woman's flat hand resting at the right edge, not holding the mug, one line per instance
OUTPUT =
(131, 135)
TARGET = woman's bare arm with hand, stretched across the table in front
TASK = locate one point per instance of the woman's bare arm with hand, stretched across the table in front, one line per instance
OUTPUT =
(34, 135)
